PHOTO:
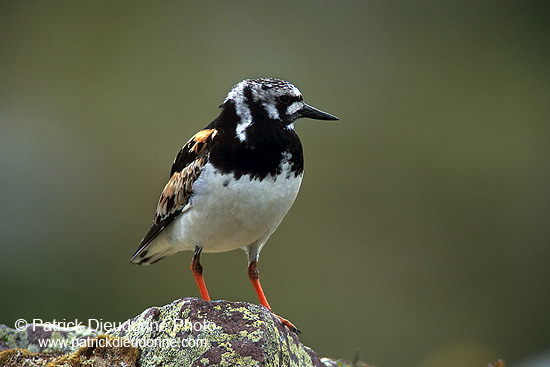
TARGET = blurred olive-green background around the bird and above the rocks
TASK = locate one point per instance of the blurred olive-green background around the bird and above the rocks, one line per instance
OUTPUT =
(421, 234)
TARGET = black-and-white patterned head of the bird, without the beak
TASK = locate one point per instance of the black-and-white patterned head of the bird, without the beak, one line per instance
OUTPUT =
(268, 98)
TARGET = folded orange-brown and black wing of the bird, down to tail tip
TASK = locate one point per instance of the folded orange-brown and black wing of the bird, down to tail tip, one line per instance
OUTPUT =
(187, 167)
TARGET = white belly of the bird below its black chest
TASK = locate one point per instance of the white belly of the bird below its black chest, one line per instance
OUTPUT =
(227, 214)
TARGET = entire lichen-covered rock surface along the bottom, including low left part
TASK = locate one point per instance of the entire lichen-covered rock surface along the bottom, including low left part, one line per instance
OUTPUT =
(187, 332)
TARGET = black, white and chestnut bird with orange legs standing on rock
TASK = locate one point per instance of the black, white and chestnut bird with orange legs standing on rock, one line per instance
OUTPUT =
(233, 182)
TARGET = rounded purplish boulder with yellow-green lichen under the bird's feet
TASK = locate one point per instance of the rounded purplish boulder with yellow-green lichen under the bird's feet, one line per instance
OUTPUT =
(194, 332)
